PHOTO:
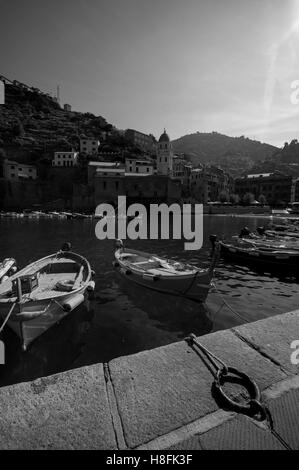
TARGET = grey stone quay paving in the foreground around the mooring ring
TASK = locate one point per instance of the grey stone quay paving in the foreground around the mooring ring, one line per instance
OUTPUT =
(161, 399)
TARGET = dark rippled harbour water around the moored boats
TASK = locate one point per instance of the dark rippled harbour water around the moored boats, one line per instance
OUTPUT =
(124, 319)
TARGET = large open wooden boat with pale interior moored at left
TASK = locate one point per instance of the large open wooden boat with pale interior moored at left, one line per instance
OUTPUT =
(42, 293)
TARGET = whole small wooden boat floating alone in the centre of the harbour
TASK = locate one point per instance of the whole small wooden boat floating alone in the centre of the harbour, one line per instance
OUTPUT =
(164, 275)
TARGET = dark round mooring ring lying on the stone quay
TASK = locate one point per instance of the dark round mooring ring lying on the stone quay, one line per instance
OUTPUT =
(249, 384)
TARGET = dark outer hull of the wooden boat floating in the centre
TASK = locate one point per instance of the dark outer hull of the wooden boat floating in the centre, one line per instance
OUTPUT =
(194, 286)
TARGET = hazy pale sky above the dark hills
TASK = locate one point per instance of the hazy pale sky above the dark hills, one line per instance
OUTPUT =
(186, 65)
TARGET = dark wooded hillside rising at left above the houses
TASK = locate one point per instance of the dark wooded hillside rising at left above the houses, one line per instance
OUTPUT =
(32, 125)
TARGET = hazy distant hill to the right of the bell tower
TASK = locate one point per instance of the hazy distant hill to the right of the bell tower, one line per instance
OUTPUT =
(218, 148)
